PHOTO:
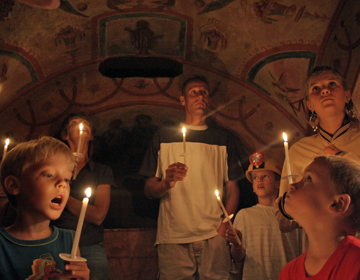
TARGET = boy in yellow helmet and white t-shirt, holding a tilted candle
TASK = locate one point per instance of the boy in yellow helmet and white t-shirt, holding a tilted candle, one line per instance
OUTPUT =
(265, 250)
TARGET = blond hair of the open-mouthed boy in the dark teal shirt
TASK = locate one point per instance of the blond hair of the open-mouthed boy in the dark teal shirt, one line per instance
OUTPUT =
(25, 154)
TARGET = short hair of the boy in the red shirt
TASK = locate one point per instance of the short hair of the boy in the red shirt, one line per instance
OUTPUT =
(346, 176)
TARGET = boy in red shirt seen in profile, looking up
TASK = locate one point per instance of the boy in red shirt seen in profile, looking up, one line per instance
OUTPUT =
(326, 203)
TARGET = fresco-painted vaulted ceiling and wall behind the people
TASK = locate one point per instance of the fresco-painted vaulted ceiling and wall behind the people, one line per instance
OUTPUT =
(256, 55)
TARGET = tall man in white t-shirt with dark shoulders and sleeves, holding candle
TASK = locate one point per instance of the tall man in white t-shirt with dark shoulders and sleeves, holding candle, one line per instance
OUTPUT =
(190, 237)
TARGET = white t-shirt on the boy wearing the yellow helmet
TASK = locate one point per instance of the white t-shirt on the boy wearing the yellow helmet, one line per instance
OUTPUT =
(268, 250)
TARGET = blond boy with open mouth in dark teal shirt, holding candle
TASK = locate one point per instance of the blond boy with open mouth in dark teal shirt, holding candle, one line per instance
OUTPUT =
(36, 176)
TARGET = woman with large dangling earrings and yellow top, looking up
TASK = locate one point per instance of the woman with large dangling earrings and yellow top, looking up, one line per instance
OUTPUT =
(332, 117)
